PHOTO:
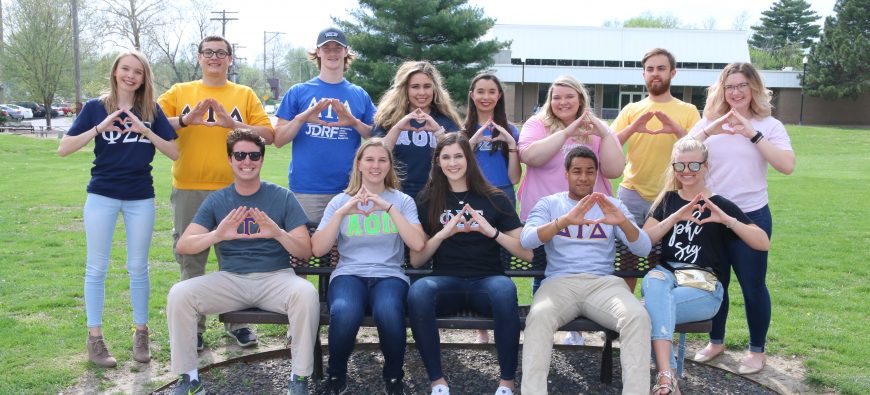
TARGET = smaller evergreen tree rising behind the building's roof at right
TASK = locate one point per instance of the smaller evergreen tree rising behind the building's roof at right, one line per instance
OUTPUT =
(786, 23)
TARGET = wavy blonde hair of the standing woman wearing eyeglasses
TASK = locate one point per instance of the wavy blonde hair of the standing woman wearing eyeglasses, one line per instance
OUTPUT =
(759, 106)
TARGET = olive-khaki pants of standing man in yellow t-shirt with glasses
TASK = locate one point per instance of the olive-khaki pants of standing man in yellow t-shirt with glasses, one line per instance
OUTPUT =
(184, 205)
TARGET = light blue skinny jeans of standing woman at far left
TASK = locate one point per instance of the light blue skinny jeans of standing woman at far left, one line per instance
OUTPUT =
(100, 216)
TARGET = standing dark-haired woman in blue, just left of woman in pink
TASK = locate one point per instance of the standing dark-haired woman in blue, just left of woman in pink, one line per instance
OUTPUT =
(494, 138)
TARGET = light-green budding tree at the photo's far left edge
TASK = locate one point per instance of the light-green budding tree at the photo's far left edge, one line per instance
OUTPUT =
(37, 51)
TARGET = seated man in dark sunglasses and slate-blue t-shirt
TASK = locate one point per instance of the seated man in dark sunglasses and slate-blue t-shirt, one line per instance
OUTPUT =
(257, 226)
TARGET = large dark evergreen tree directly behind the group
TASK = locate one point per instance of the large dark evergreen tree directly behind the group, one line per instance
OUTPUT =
(447, 33)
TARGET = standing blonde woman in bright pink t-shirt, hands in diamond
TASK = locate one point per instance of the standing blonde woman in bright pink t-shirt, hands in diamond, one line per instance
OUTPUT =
(562, 123)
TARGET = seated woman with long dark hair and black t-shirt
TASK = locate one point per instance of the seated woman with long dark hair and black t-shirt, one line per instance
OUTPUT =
(468, 222)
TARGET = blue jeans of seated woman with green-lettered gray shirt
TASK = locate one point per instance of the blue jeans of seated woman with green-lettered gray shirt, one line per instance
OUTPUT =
(349, 299)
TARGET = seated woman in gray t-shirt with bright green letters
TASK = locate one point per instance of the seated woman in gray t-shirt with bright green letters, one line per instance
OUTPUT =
(370, 222)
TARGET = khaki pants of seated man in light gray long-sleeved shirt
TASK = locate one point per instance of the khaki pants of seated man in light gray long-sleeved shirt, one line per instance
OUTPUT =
(603, 299)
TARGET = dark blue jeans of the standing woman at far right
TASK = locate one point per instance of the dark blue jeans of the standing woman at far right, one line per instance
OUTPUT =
(750, 266)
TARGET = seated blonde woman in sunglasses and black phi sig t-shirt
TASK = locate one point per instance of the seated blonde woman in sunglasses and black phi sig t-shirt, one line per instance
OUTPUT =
(694, 226)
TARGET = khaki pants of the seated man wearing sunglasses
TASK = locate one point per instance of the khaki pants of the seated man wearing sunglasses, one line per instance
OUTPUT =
(220, 292)
